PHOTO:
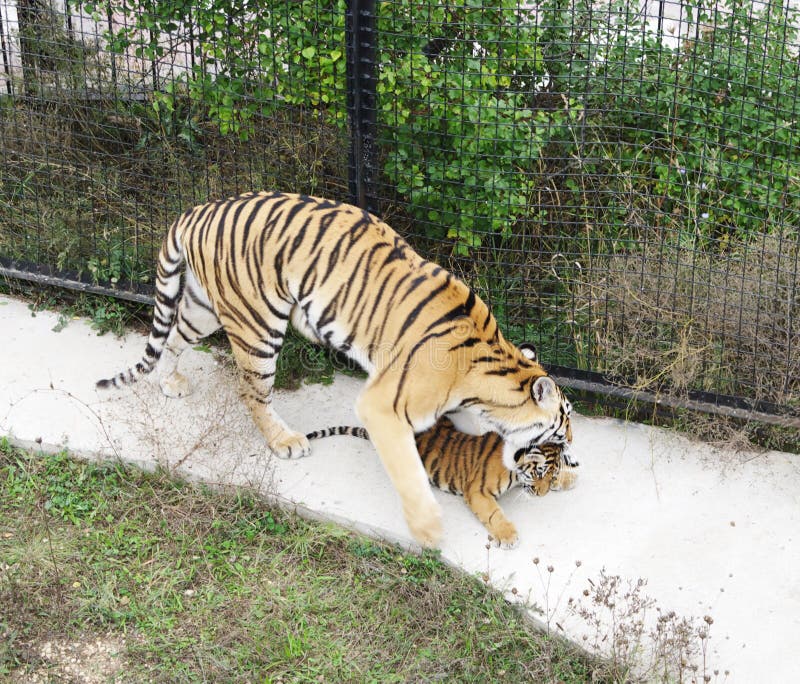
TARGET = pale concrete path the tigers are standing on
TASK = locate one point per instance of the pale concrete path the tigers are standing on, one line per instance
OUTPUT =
(712, 532)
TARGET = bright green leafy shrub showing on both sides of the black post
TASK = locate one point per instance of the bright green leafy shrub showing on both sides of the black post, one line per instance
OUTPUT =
(454, 86)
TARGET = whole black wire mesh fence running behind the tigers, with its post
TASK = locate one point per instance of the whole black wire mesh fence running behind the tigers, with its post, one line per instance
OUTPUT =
(620, 179)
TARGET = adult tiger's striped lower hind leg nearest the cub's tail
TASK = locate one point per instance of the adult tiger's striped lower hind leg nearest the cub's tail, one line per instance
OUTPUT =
(256, 375)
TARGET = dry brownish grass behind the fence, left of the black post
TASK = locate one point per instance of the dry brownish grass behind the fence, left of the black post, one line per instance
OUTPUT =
(91, 186)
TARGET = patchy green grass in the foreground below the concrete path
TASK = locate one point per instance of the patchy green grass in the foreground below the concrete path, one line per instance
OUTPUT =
(199, 586)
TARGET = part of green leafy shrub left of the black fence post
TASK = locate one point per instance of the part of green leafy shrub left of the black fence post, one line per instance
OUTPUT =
(238, 62)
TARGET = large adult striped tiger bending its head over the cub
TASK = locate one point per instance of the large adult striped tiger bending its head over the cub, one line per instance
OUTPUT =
(344, 278)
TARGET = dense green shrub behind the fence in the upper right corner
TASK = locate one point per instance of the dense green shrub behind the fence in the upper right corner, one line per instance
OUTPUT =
(700, 137)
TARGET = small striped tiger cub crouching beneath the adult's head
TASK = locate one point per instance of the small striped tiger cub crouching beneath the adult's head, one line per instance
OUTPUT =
(472, 465)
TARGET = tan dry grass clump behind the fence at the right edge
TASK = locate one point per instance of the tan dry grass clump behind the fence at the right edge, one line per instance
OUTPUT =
(674, 319)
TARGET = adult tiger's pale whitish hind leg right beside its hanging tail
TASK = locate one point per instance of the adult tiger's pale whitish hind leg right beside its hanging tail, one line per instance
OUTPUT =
(194, 321)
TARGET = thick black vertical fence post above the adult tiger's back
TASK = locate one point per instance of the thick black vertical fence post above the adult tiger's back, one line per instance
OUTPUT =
(361, 38)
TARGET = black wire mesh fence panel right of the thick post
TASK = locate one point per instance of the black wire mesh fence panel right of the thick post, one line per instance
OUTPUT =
(619, 179)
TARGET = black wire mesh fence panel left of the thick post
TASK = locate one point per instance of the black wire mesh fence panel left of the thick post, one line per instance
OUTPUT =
(117, 116)
